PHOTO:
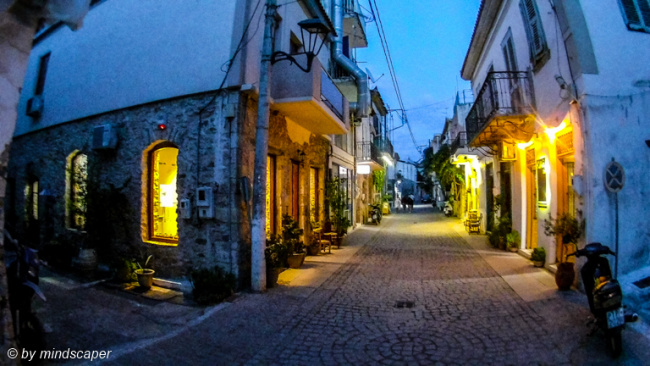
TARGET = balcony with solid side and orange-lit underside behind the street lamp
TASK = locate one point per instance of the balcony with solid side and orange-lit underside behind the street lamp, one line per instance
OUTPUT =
(310, 99)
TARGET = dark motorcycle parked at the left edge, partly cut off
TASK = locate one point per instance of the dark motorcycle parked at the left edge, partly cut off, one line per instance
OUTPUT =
(22, 278)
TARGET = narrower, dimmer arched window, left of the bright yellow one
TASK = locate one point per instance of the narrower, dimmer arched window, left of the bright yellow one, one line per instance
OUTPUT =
(77, 190)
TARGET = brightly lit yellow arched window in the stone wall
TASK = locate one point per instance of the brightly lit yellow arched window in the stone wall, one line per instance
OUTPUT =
(162, 199)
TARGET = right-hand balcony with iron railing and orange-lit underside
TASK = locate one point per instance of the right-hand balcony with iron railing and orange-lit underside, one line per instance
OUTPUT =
(503, 110)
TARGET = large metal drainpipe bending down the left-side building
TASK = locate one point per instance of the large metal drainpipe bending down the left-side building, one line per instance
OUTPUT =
(362, 107)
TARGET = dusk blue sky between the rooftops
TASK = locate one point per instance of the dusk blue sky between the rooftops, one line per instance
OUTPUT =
(428, 40)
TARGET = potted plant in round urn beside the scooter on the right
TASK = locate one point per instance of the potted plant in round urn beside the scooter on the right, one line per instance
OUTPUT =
(569, 230)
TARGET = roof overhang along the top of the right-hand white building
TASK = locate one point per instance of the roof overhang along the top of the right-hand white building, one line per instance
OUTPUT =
(487, 16)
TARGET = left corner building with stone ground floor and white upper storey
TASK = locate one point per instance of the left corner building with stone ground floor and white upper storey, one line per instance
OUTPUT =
(143, 143)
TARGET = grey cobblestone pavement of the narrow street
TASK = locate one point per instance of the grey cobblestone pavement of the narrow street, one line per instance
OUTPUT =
(415, 292)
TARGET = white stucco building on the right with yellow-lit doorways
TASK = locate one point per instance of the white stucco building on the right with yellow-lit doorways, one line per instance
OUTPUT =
(562, 88)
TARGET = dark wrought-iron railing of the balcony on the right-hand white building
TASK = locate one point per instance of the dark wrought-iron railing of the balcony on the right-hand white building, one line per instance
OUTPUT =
(506, 93)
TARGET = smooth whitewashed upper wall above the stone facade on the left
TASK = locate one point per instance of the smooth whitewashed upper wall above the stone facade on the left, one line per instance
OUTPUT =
(129, 53)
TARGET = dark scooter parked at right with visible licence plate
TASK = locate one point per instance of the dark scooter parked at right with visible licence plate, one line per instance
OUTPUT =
(604, 295)
